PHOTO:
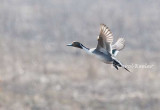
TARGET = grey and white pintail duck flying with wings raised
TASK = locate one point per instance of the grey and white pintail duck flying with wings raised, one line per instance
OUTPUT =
(105, 51)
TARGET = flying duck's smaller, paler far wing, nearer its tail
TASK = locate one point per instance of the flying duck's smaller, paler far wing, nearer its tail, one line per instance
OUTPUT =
(118, 46)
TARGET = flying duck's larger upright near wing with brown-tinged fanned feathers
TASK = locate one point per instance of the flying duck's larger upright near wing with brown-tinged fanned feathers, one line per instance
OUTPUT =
(105, 40)
